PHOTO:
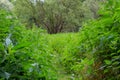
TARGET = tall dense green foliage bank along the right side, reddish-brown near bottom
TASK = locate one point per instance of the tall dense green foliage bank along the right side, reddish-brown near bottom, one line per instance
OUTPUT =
(100, 39)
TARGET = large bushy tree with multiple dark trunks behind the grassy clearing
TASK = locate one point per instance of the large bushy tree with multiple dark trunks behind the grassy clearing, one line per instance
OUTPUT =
(53, 15)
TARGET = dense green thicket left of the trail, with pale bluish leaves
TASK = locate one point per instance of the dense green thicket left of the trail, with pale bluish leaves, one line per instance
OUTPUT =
(24, 53)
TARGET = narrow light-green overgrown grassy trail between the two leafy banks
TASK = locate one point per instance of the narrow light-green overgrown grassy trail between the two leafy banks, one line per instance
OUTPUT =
(59, 43)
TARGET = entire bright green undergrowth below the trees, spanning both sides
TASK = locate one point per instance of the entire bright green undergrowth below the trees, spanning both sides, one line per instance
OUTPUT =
(91, 54)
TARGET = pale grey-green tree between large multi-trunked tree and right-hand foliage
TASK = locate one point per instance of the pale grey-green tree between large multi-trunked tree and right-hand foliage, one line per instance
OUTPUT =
(91, 8)
